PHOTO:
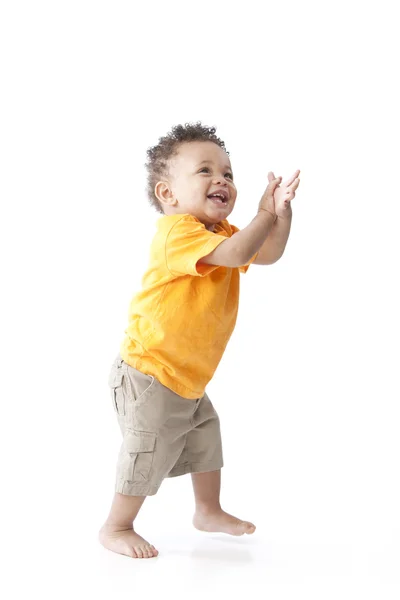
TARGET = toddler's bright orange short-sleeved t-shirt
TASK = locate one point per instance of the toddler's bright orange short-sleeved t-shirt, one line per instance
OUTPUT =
(181, 321)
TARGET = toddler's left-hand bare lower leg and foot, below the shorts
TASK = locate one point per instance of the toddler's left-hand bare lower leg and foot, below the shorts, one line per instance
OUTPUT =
(117, 533)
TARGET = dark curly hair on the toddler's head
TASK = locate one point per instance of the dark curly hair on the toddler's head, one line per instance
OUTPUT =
(167, 147)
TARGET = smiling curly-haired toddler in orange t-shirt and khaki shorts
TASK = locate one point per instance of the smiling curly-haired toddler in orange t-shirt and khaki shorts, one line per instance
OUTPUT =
(179, 325)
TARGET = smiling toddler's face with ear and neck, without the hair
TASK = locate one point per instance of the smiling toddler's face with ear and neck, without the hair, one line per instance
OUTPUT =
(198, 172)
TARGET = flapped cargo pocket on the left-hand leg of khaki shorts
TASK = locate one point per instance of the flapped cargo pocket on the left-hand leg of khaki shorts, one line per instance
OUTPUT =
(140, 447)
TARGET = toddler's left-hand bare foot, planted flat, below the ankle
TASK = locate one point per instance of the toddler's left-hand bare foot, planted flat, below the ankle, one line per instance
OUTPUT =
(126, 541)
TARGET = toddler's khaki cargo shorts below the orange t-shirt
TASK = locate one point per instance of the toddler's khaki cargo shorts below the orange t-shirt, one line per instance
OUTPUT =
(164, 435)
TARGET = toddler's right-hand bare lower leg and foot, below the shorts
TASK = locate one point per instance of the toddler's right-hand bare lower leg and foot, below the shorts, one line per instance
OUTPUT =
(209, 515)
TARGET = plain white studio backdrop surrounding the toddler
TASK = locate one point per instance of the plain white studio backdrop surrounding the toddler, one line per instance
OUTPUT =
(307, 391)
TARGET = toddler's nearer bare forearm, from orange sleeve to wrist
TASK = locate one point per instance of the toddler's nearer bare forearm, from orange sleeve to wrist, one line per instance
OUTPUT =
(237, 250)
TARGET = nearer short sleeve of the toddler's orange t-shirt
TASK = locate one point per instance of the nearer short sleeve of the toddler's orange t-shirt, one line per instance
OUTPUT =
(187, 242)
